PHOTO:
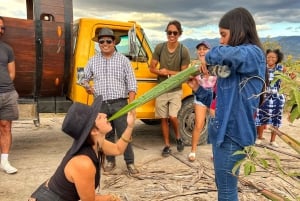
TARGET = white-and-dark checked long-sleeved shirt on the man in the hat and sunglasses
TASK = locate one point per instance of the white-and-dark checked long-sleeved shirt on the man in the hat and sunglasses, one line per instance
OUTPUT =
(113, 77)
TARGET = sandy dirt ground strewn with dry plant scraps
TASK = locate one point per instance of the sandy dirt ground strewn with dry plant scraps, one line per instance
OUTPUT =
(37, 151)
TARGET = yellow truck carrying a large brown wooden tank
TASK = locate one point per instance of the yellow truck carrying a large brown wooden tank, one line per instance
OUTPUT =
(52, 50)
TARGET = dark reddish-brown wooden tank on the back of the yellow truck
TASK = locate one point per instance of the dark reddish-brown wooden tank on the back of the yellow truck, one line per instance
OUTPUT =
(43, 52)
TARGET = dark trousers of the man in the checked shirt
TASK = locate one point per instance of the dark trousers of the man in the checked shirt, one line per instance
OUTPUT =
(119, 125)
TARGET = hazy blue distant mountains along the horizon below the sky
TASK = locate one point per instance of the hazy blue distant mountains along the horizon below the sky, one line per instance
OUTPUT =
(290, 44)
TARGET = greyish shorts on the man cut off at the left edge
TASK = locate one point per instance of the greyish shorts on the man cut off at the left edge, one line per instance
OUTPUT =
(9, 106)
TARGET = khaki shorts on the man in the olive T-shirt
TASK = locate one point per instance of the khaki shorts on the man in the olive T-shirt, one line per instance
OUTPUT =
(168, 104)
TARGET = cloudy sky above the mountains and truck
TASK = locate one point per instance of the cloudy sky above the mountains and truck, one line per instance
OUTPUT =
(198, 18)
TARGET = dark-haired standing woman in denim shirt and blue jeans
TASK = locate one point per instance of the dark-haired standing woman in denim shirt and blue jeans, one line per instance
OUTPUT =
(233, 126)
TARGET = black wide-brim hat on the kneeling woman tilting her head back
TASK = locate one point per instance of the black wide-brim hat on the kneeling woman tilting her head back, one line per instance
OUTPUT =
(79, 121)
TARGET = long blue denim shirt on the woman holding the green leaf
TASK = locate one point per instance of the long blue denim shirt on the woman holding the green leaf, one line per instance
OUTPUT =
(236, 100)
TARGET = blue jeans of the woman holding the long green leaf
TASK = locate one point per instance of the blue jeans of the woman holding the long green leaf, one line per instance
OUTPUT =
(223, 163)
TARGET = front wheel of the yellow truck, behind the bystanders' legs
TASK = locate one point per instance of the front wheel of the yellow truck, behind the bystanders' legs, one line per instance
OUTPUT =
(186, 118)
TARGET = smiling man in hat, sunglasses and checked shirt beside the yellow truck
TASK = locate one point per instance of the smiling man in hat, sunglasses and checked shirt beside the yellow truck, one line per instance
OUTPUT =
(115, 81)
